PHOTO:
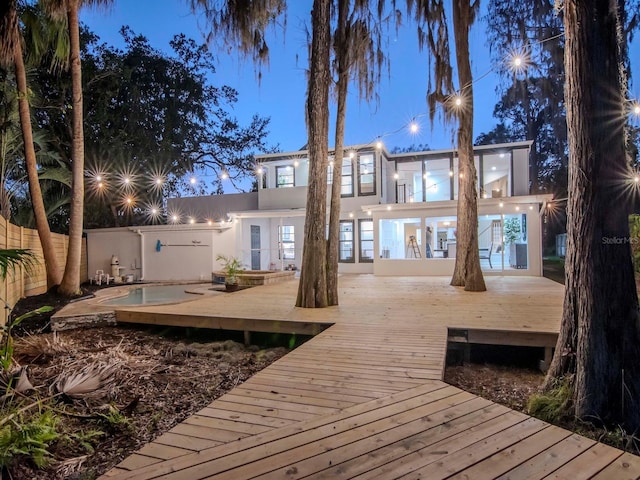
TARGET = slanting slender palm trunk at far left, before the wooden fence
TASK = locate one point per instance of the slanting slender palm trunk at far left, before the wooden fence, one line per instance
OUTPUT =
(11, 53)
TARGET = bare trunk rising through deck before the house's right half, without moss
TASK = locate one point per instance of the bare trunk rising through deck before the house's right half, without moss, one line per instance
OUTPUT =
(467, 270)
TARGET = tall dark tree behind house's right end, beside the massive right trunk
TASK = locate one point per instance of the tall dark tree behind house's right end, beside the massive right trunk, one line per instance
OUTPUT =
(527, 46)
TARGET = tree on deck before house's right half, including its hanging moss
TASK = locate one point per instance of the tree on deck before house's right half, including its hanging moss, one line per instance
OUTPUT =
(467, 270)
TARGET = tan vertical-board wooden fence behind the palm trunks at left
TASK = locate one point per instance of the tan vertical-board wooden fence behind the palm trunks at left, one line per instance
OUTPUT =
(24, 282)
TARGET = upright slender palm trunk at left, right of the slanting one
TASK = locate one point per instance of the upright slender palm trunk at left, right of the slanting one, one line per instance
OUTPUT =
(71, 280)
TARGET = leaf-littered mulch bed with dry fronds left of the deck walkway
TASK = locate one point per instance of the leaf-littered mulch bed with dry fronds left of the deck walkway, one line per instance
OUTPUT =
(160, 377)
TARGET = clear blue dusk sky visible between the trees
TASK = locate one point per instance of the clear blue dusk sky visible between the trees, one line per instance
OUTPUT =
(281, 94)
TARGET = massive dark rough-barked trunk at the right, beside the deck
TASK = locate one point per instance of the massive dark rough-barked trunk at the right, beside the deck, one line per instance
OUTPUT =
(598, 350)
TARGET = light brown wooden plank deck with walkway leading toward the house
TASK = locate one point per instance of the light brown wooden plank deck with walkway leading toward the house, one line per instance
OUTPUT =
(364, 398)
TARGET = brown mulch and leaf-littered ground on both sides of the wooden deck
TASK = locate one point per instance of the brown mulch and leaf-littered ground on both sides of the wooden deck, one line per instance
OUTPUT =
(162, 377)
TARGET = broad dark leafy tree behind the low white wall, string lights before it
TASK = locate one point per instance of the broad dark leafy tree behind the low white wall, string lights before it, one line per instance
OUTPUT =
(158, 121)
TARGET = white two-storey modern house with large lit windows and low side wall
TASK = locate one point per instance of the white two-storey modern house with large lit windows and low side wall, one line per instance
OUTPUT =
(398, 217)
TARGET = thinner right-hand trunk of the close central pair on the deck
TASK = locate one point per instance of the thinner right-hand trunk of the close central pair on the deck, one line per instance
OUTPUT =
(333, 245)
